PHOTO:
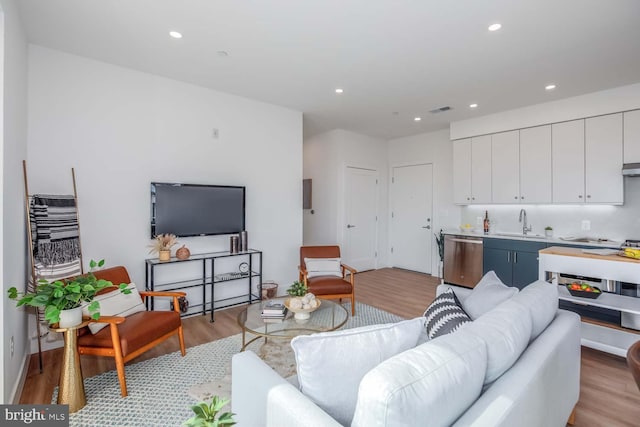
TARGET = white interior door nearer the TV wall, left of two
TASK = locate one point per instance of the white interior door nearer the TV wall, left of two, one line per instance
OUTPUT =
(361, 207)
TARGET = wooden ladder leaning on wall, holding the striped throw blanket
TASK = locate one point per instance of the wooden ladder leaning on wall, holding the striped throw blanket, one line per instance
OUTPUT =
(34, 273)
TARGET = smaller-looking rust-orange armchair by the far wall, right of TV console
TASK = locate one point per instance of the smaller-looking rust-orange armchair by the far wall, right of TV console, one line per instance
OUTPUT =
(328, 287)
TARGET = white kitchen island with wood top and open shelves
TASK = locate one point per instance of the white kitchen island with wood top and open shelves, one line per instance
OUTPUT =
(554, 261)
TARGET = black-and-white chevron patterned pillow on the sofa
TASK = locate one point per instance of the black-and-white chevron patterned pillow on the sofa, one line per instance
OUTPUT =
(444, 315)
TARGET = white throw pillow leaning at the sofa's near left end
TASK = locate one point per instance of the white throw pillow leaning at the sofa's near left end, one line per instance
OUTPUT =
(330, 365)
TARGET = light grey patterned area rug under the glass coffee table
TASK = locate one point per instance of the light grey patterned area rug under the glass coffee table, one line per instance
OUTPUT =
(159, 388)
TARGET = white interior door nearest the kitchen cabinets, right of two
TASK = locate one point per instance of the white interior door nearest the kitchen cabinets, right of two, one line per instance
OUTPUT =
(411, 221)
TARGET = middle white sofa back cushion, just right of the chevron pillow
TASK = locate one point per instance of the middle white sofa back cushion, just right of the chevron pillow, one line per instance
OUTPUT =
(506, 330)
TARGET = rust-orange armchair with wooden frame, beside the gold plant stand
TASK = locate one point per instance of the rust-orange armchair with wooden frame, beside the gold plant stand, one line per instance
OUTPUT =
(128, 337)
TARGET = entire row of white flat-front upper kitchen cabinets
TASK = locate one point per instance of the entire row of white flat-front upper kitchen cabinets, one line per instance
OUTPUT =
(578, 161)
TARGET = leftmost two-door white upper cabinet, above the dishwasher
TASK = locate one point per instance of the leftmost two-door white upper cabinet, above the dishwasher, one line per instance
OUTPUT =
(472, 170)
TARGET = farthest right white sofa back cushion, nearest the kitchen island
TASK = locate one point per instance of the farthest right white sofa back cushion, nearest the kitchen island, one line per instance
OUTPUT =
(542, 300)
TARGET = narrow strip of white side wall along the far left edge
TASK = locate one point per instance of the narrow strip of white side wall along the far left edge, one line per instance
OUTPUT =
(13, 249)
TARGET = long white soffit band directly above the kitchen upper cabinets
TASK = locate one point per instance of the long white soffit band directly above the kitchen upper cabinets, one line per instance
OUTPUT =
(622, 98)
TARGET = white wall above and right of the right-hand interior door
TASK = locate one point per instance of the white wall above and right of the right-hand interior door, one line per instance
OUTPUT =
(434, 148)
